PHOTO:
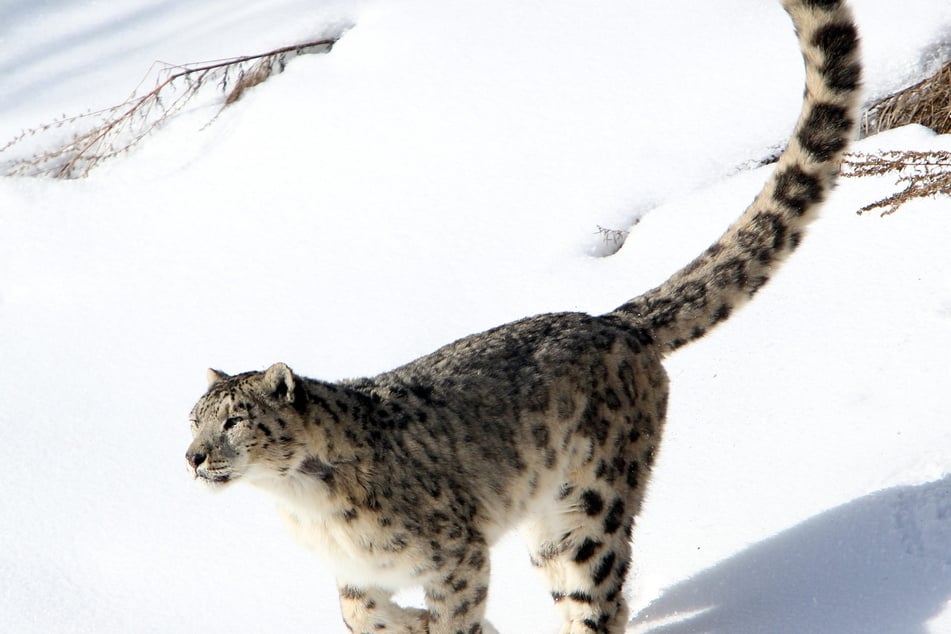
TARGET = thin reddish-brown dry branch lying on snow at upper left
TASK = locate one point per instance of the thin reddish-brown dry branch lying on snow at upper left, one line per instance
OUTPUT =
(106, 133)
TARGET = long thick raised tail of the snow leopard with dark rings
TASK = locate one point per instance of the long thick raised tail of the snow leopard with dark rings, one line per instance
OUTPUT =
(727, 274)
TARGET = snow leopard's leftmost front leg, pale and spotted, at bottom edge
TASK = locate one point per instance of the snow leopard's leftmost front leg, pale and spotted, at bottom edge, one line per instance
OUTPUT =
(372, 611)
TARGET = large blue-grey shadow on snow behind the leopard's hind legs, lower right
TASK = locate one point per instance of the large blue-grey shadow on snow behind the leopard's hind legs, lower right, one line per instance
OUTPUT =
(880, 564)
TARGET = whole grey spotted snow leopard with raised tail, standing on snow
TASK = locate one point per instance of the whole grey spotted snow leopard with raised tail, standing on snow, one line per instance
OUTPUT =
(548, 425)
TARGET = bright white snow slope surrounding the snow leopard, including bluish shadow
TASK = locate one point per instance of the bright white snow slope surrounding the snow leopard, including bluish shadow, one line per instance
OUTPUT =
(442, 171)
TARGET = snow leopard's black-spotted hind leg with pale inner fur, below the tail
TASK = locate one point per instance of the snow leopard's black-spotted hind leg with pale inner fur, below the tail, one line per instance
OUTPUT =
(580, 538)
